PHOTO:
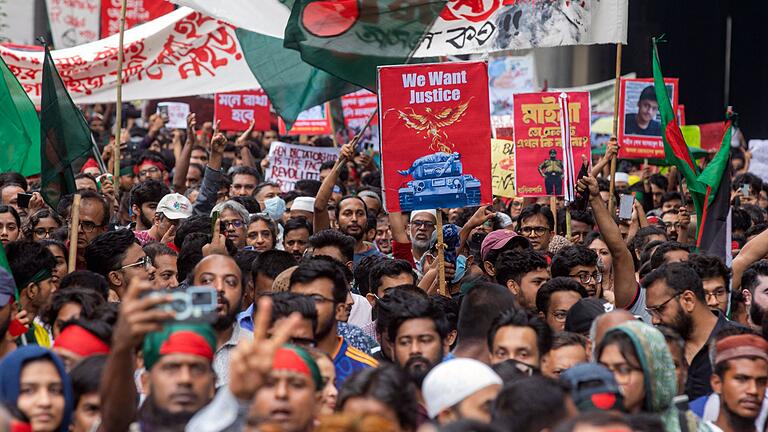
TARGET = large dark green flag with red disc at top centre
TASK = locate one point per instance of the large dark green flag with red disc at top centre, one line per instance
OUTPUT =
(350, 38)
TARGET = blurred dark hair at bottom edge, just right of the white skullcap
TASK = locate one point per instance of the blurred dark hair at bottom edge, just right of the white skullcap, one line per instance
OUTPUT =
(530, 404)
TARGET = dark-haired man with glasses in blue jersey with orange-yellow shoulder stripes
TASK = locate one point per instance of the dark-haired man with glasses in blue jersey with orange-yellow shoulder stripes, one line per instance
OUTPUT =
(321, 280)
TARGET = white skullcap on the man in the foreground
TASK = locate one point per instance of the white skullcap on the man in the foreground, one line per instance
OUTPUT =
(452, 381)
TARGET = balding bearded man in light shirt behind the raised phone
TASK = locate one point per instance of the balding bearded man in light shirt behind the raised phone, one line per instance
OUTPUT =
(223, 273)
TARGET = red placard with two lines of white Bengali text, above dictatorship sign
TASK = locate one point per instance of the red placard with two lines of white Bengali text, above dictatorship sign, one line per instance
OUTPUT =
(236, 110)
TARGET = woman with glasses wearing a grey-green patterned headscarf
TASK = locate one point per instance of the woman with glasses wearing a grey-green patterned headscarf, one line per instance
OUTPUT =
(638, 356)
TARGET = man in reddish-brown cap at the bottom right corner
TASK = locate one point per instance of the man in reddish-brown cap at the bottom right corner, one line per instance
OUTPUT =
(739, 379)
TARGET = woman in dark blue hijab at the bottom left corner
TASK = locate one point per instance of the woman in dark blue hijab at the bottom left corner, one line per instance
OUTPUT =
(33, 380)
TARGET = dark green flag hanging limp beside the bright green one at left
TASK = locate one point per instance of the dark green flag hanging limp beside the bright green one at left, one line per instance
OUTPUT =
(64, 134)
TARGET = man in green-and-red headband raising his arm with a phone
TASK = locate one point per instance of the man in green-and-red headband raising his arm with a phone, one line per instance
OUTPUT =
(179, 379)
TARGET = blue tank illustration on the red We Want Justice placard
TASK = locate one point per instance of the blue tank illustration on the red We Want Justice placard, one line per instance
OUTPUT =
(438, 181)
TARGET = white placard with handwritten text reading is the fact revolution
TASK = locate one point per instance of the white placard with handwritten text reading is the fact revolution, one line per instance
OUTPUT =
(289, 163)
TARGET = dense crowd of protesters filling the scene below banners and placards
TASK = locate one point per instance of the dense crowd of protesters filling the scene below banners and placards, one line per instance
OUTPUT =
(328, 313)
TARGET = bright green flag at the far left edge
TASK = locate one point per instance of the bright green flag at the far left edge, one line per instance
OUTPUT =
(19, 127)
